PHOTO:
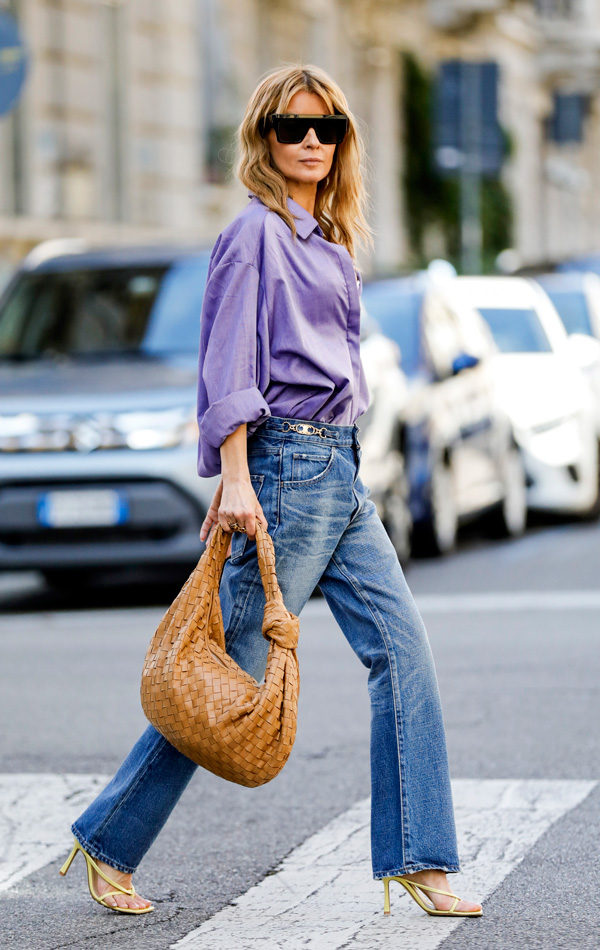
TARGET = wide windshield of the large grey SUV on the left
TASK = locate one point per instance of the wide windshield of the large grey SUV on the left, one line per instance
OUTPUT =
(104, 312)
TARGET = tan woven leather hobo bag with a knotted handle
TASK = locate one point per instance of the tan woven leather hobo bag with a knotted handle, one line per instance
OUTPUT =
(198, 697)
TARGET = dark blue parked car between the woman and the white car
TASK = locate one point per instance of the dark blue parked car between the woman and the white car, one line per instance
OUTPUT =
(460, 454)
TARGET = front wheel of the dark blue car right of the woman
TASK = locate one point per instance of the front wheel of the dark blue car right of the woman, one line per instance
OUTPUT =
(437, 536)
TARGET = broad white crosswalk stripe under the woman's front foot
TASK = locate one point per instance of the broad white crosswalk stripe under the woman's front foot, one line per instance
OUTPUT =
(323, 897)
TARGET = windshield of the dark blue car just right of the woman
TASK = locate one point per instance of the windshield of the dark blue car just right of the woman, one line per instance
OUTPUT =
(398, 315)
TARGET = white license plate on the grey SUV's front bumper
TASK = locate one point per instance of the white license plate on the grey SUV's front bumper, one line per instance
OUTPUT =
(75, 509)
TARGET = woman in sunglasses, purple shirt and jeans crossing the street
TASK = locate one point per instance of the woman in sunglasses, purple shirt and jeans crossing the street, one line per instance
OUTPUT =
(280, 385)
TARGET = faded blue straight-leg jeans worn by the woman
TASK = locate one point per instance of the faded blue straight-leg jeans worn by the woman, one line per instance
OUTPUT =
(326, 532)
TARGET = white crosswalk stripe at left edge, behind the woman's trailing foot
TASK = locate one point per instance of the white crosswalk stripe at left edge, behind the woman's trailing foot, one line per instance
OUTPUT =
(36, 813)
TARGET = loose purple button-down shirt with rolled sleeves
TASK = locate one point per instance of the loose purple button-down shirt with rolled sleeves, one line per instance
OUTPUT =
(279, 329)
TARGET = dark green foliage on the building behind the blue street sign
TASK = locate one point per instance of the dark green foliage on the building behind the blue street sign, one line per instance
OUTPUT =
(432, 200)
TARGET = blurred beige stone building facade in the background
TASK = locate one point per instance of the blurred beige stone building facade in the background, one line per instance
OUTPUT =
(125, 129)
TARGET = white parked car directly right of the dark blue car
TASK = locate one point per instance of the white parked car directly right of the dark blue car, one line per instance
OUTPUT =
(542, 389)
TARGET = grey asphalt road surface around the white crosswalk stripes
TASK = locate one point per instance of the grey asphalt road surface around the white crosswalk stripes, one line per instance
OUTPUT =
(519, 684)
